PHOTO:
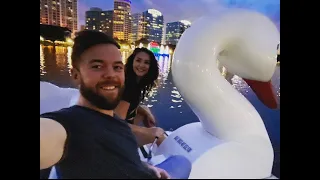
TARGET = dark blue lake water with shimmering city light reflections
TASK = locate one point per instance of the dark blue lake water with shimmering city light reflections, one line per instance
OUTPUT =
(165, 102)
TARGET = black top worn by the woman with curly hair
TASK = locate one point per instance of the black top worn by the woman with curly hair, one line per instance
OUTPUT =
(132, 95)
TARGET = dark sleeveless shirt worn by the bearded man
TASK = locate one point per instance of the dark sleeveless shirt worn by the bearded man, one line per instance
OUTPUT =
(97, 146)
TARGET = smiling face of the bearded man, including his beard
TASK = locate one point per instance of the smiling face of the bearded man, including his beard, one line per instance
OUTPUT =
(101, 76)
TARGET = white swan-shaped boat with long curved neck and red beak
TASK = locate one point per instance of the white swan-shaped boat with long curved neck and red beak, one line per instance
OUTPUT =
(231, 140)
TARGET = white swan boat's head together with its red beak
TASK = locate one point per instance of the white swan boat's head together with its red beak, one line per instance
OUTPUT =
(252, 54)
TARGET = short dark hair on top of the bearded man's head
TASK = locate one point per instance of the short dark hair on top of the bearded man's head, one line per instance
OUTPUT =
(85, 40)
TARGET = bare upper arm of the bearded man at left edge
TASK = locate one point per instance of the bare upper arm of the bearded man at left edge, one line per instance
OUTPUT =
(52, 140)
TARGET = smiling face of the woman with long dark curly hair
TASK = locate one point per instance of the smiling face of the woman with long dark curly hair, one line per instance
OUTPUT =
(141, 64)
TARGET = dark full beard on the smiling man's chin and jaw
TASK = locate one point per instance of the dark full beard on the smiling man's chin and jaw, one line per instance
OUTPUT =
(101, 102)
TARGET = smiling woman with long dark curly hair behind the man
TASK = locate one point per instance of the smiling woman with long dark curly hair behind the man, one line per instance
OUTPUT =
(141, 71)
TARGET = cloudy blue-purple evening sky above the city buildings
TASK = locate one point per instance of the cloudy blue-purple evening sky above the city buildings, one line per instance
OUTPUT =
(185, 9)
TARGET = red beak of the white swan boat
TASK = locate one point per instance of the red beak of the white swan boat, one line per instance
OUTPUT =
(264, 91)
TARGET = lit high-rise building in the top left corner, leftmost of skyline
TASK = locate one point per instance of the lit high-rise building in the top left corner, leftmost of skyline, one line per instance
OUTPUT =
(62, 13)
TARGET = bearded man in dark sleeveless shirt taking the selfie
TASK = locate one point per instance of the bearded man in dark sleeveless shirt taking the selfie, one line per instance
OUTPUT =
(87, 140)
